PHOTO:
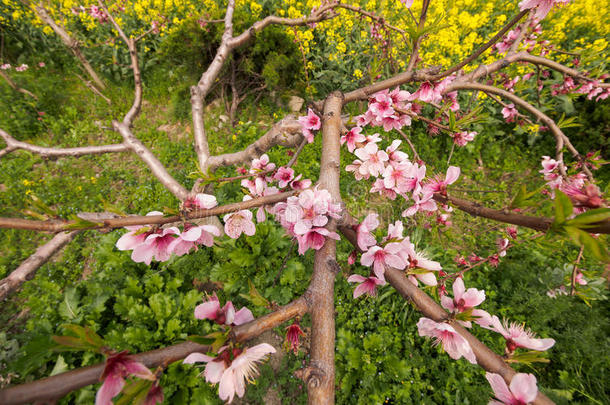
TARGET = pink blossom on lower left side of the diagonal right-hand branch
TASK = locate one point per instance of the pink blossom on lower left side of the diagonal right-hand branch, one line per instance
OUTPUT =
(453, 343)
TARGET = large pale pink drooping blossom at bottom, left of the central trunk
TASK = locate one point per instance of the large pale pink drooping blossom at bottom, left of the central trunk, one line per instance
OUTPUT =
(231, 373)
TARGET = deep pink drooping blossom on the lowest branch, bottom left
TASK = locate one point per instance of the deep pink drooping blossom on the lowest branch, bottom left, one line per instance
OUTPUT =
(118, 367)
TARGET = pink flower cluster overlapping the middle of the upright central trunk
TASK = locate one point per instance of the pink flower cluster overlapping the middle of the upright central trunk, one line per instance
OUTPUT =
(305, 216)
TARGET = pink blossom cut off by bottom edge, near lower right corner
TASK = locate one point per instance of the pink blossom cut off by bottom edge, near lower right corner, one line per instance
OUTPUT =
(522, 389)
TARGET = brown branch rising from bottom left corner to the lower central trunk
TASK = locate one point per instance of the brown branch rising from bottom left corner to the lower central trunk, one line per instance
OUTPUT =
(61, 384)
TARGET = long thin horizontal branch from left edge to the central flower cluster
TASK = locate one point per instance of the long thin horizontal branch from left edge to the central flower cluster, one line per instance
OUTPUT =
(103, 222)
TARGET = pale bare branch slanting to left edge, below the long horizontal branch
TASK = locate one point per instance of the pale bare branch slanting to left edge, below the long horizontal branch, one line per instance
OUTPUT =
(28, 268)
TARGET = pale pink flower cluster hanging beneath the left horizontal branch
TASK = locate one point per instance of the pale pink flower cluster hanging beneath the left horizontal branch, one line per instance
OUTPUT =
(148, 242)
